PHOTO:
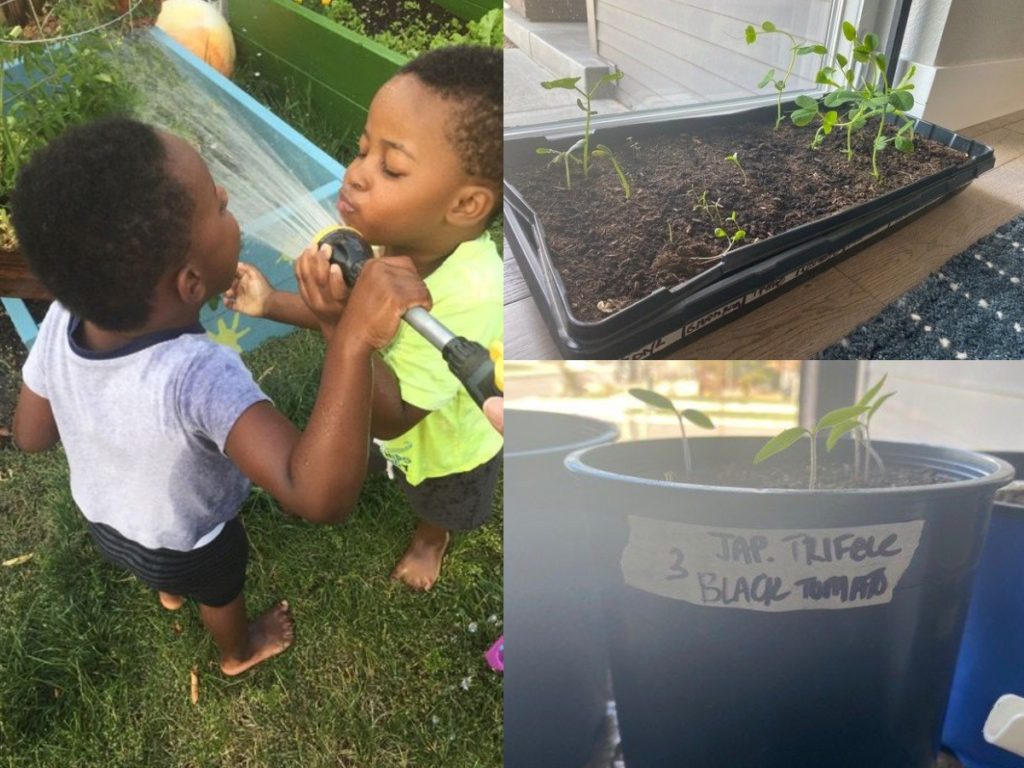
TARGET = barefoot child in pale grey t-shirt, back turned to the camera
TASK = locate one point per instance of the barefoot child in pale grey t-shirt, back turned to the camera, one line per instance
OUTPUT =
(163, 429)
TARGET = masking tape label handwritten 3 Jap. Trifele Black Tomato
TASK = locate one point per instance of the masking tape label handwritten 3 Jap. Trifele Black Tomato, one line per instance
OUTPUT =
(774, 570)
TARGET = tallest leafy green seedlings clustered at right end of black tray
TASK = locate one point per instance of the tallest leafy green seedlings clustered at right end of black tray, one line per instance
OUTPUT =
(862, 89)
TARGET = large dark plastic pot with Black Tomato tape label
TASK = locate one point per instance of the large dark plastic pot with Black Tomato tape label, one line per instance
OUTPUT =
(771, 629)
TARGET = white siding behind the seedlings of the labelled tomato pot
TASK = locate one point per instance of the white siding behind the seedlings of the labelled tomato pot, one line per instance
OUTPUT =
(962, 404)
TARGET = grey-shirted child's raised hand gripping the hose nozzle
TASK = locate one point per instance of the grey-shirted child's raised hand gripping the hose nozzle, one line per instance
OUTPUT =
(387, 288)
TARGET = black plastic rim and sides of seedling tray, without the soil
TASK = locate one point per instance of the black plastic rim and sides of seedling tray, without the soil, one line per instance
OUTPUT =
(747, 278)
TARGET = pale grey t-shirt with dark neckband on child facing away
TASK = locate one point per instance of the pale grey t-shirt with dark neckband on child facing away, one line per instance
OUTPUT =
(145, 429)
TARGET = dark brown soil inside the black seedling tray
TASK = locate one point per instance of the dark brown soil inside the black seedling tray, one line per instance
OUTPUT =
(612, 251)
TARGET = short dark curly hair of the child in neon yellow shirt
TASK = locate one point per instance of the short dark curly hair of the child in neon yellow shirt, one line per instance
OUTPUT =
(472, 76)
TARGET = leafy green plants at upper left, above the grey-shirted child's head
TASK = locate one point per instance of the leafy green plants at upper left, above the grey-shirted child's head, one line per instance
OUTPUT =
(67, 86)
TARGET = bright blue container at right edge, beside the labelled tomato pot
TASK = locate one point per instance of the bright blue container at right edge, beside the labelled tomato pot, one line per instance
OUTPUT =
(992, 657)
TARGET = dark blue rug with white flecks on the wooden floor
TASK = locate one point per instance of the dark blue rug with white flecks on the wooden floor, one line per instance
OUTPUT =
(972, 309)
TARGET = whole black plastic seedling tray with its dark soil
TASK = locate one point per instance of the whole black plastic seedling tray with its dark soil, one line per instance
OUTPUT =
(637, 278)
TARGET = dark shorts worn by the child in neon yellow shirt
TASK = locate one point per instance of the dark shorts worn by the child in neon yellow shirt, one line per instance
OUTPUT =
(460, 502)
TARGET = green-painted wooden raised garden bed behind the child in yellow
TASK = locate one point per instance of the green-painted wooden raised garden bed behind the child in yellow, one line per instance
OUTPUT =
(342, 70)
